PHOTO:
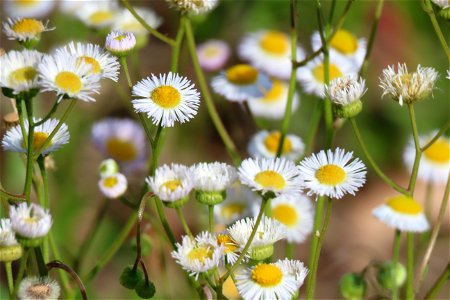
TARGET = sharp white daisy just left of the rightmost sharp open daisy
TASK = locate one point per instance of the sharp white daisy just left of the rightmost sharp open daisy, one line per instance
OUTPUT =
(276, 175)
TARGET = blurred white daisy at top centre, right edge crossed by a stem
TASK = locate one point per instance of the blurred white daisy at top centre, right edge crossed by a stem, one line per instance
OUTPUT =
(270, 52)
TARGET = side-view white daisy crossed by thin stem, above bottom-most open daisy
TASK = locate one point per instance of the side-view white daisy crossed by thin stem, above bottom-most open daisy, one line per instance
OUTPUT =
(269, 232)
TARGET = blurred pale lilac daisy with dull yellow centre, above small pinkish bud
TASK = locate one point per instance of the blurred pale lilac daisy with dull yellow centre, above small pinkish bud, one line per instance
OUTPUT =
(122, 140)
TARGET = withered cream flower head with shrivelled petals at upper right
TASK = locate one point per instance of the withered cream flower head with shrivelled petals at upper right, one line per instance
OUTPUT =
(406, 87)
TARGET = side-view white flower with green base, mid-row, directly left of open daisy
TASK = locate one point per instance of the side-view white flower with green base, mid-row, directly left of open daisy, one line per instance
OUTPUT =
(211, 180)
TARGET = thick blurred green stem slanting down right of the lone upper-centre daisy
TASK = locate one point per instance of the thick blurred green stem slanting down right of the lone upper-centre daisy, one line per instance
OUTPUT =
(229, 144)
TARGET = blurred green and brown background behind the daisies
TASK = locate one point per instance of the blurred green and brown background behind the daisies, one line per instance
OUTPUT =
(355, 238)
